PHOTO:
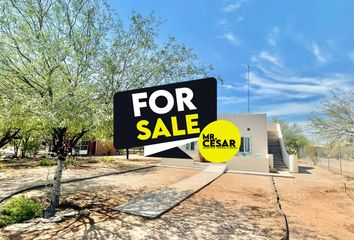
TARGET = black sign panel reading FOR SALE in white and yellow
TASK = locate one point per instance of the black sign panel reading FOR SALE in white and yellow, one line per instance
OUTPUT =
(164, 113)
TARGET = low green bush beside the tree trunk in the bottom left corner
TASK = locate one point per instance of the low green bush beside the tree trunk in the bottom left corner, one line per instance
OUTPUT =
(18, 210)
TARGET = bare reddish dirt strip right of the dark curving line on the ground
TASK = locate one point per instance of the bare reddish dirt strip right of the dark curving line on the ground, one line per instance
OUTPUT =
(316, 205)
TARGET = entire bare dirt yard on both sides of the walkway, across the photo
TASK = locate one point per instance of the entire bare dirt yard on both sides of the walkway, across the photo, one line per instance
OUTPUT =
(235, 206)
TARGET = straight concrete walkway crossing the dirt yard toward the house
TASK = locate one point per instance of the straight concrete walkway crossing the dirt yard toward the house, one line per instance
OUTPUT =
(155, 204)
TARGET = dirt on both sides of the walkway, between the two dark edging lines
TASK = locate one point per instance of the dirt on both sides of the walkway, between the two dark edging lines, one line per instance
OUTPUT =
(232, 207)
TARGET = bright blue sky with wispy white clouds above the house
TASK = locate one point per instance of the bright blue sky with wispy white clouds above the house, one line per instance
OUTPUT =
(298, 51)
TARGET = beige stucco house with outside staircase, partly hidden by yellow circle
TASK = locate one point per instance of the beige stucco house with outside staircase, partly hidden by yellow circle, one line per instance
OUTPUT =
(262, 147)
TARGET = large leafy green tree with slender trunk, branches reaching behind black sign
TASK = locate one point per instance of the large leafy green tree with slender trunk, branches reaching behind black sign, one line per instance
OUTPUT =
(66, 58)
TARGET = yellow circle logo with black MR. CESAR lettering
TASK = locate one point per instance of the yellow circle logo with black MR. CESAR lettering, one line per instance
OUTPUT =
(219, 141)
